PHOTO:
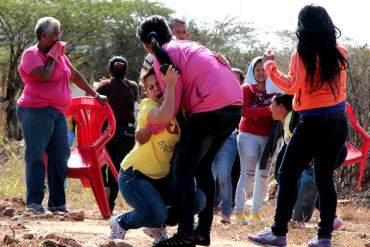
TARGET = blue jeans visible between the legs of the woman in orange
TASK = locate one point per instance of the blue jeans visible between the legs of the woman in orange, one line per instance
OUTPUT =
(307, 195)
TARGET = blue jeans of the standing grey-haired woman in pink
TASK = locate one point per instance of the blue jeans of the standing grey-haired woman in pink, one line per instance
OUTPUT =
(45, 130)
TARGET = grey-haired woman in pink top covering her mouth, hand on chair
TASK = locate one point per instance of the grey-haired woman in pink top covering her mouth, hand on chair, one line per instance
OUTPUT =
(46, 72)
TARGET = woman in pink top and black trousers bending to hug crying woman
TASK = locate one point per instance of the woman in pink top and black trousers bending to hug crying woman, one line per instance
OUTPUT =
(211, 95)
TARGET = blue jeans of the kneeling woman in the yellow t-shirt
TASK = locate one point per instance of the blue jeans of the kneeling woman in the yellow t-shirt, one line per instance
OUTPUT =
(149, 198)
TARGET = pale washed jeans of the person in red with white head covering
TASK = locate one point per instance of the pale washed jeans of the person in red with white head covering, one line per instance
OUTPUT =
(250, 151)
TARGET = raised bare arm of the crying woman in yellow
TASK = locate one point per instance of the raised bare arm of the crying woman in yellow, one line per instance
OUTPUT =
(164, 113)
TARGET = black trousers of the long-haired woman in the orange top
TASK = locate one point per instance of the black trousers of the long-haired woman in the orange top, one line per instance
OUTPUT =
(317, 138)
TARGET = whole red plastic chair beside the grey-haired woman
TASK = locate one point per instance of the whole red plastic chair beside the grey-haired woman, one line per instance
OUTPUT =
(90, 154)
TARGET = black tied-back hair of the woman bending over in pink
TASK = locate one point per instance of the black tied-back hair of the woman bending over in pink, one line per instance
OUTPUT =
(154, 30)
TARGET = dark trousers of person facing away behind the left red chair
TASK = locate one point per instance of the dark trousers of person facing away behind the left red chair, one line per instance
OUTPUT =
(118, 147)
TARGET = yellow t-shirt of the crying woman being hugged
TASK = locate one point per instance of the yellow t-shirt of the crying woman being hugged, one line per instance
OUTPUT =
(153, 158)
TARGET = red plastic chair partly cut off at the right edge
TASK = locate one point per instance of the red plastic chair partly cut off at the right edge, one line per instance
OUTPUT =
(357, 155)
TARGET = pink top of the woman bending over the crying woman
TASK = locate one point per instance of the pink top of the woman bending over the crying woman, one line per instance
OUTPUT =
(204, 84)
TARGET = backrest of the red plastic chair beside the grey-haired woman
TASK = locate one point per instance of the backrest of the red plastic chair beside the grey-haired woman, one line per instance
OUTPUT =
(90, 117)
